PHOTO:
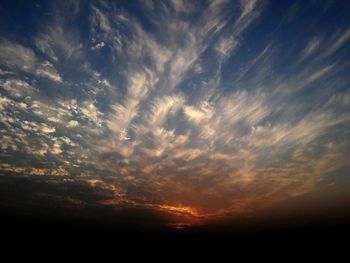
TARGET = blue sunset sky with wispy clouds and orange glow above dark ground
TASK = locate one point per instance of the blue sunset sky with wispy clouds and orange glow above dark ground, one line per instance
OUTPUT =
(179, 112)
